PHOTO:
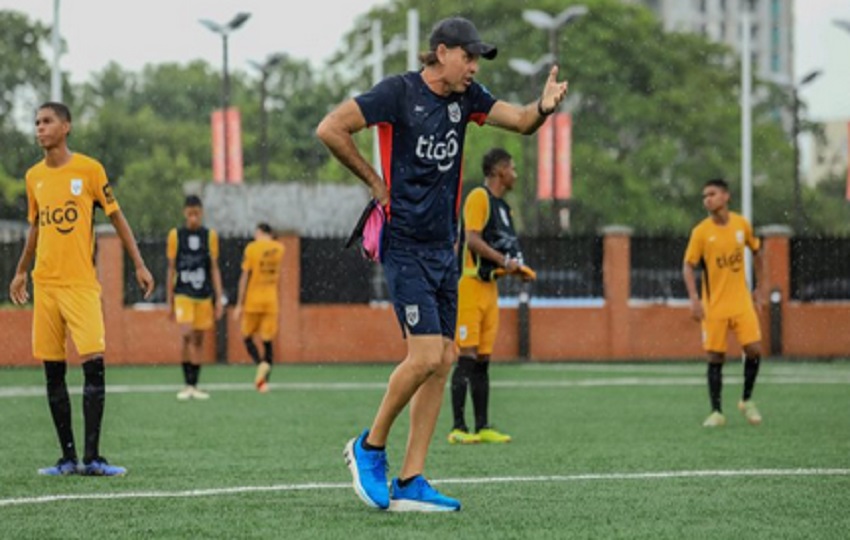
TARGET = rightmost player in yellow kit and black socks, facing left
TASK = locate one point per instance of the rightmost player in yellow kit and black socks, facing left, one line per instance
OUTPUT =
(717, 246)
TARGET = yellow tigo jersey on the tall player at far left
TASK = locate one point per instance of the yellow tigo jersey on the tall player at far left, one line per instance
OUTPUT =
(61, 202)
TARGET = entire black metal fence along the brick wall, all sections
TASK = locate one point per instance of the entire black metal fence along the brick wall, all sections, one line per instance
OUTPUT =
(567, 268)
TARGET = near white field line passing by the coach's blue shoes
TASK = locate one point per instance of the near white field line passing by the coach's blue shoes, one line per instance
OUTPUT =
(315, 486)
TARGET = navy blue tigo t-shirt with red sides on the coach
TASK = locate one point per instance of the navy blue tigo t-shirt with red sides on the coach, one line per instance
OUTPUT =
(421, 137)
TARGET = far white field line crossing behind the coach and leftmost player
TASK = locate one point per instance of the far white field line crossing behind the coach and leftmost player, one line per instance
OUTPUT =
(33, 391)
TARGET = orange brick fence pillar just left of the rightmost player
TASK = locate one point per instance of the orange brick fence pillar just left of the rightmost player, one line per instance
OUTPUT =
(616, 276)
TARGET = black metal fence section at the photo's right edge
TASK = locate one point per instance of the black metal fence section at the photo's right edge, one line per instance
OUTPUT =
(820, 269)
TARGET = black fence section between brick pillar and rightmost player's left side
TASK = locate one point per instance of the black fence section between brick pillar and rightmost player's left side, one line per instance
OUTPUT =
(656, 268)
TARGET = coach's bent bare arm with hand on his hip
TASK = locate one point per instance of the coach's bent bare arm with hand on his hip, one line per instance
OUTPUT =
(336, 131)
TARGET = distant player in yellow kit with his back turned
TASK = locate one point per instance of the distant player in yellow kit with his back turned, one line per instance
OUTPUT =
(257, 303)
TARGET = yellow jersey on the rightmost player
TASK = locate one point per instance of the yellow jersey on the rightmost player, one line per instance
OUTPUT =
(719, 250)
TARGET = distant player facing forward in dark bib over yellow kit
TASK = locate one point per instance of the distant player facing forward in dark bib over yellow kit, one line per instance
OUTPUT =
(193, 279)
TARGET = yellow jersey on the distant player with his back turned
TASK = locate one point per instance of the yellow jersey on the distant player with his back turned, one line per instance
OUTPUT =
(262, 258)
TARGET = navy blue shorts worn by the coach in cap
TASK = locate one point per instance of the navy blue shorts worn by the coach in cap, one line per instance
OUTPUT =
(423, 286)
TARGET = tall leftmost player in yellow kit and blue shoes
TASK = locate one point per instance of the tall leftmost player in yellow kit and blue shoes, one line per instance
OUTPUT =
(63, 191)
